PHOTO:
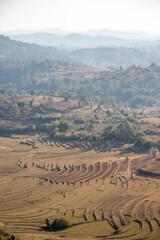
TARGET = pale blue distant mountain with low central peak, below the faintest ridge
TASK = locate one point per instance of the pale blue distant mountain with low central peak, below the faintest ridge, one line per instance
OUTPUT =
(74, 40)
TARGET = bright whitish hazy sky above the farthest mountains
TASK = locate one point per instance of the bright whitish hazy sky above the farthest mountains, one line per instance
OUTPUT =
(80, 15)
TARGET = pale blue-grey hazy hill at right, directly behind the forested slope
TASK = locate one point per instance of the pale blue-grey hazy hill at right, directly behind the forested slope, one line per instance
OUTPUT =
(122, 56)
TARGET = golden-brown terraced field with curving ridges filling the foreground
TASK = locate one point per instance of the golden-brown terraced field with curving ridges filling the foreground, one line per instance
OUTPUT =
(97, 191)
